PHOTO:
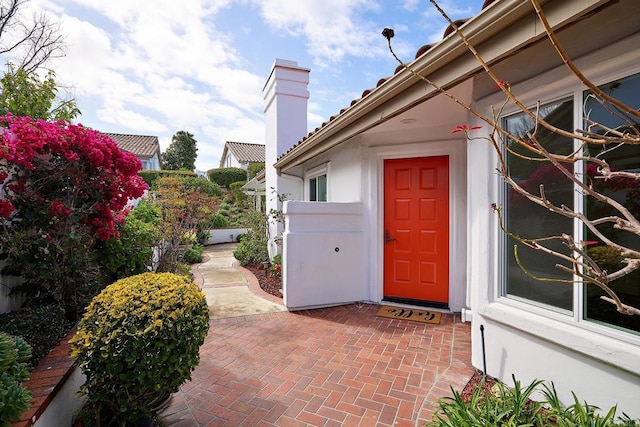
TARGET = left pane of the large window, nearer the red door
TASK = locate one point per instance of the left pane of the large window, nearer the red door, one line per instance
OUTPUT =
(527, 220)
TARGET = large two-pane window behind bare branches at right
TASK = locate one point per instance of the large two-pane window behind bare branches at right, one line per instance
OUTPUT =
(524, 267)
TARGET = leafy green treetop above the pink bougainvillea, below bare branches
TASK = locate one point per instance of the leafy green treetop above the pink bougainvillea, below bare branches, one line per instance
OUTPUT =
(24, 94)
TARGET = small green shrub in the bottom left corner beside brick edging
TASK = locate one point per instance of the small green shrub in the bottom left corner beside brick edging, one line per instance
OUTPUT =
(14, 397)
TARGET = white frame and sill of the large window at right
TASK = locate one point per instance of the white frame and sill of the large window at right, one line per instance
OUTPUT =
(594, 340)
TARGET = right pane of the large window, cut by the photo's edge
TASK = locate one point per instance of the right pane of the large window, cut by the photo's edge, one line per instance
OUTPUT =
(624, 190)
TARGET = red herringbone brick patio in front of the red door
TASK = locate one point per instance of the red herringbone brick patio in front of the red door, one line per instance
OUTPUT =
(339, 366)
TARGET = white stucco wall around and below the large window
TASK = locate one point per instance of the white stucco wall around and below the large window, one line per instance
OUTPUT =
(599, 363)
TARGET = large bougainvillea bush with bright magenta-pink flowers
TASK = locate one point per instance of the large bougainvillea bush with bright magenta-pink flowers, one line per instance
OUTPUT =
(63, 187)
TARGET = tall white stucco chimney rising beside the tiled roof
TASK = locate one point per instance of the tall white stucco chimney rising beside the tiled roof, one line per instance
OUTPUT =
(285, 95)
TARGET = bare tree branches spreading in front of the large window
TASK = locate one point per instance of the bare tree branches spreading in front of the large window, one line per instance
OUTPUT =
(606, 216)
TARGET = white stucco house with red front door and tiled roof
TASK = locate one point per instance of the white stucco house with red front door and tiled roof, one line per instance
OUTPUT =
(408, 214)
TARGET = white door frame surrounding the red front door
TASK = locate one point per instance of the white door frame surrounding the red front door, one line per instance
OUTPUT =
(373, 196)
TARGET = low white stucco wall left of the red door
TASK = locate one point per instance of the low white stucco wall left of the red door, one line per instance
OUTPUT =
(324, 253)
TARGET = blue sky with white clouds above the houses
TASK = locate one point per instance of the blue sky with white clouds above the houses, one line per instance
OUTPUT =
(155, 67)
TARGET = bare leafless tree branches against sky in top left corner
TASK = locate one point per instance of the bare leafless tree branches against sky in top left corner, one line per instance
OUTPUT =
(31, 42)
